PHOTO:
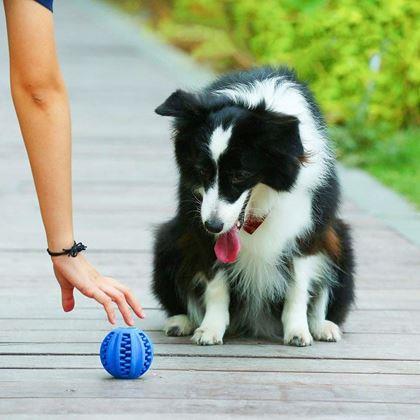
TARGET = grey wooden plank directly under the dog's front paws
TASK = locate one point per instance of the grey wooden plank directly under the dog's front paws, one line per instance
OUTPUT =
(353, 346)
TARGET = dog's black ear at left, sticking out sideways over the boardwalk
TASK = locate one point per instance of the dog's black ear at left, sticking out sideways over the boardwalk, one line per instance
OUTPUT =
(180, 104)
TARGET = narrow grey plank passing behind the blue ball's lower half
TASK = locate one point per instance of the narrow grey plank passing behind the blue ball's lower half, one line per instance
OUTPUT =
(227, 364)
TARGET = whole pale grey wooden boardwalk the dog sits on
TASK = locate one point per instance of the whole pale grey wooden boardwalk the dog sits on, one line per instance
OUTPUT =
(124, 181)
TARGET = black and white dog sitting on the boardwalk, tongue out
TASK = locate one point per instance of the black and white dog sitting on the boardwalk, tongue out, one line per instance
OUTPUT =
(256, 247)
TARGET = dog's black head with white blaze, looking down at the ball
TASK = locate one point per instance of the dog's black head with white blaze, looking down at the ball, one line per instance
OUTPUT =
(224, 150)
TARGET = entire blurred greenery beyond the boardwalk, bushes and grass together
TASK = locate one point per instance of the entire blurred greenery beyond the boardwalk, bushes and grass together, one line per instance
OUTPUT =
(361, 59)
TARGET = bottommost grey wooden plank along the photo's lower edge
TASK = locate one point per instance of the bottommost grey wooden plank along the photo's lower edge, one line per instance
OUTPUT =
(192, 409)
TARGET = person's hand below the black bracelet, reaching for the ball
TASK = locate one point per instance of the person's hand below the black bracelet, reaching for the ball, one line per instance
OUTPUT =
(77, 272)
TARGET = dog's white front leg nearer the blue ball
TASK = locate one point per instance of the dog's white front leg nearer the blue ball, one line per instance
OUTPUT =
(216, 316)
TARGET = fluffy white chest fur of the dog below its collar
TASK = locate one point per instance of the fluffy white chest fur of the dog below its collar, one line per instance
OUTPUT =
(258, 269)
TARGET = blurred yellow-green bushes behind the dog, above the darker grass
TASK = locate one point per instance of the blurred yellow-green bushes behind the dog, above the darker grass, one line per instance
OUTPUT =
(359, 57)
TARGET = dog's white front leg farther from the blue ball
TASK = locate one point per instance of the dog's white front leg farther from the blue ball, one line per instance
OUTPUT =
(294, 316)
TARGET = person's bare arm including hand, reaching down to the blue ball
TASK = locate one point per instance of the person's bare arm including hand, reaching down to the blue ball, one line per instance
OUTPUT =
(42, 106)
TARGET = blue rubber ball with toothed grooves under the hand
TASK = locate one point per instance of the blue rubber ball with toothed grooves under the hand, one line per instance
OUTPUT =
(126, 353)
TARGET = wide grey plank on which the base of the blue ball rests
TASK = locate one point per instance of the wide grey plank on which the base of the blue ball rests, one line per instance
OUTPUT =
(403, 389)
